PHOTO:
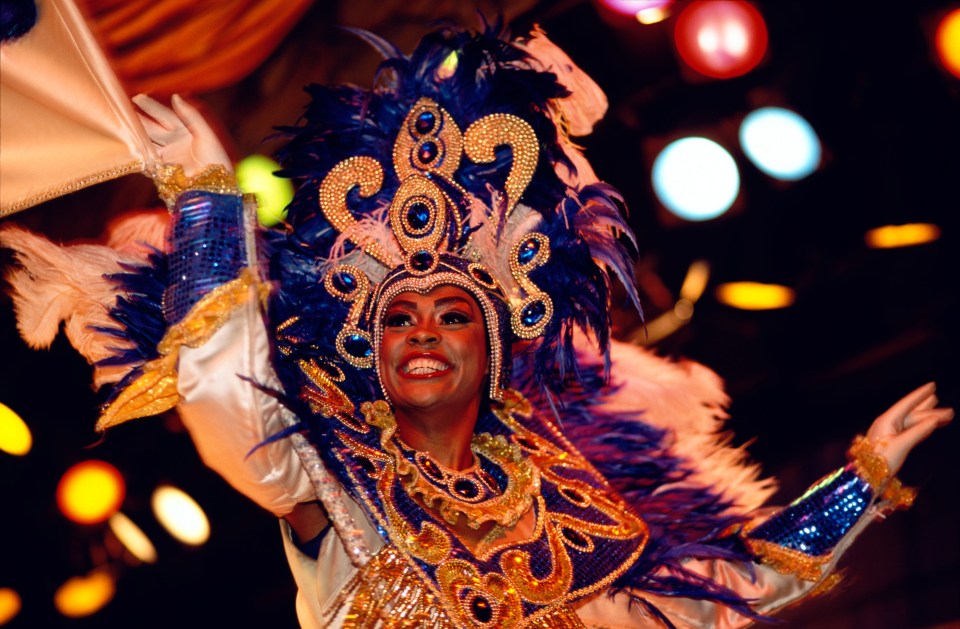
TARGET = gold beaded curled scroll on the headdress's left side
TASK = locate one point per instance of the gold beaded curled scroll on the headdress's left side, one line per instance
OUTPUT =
(361, 171)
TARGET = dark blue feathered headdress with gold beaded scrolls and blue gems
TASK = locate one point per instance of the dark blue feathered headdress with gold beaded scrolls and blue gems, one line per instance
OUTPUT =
(455, 168)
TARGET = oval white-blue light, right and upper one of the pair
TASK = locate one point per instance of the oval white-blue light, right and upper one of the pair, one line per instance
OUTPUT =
(781, 143)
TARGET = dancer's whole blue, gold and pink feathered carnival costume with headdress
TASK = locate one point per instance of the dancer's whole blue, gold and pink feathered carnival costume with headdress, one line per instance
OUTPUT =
(457, 168)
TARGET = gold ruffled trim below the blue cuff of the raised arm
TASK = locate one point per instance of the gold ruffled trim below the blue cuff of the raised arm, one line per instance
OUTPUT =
(155, 391)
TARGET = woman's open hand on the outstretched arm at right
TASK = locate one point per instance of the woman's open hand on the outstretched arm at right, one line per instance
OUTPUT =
(907, 423)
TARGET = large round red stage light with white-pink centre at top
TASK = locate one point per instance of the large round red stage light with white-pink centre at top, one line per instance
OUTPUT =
(721, 38)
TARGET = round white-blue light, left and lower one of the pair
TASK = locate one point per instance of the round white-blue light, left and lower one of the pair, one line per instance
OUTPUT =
(696, 178)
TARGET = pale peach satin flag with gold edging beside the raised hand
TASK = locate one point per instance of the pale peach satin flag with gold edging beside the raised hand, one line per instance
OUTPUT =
(65, 120)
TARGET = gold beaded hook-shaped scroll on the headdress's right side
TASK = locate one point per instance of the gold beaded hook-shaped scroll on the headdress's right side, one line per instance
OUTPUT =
(485, 135)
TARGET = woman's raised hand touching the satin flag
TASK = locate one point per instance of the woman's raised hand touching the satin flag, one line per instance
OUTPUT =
(181, 135)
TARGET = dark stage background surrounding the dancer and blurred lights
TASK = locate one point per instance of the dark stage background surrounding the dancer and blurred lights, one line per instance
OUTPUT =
(868, 325)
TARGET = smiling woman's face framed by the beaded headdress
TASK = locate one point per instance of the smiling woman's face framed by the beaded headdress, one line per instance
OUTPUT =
(433, 351)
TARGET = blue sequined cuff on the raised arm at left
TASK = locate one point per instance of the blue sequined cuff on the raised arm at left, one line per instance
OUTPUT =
(208, 249)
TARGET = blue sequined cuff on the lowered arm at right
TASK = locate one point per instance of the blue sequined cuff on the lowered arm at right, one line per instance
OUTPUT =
(817, 521)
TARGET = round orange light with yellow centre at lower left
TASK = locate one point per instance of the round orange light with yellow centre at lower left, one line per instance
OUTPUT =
(90, 492)
